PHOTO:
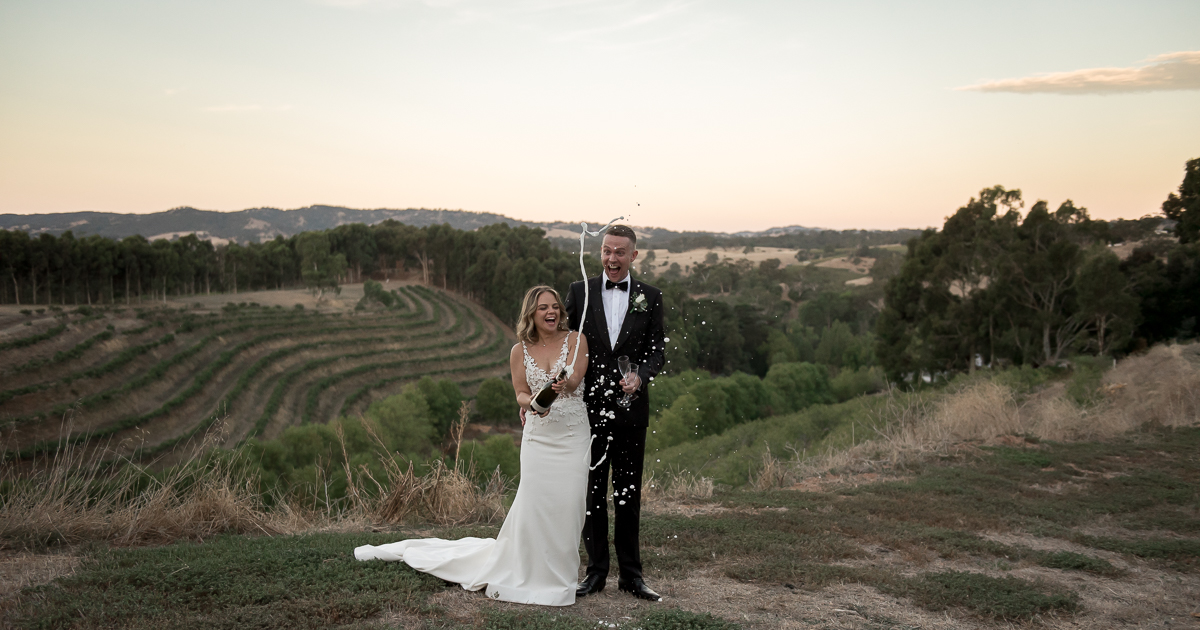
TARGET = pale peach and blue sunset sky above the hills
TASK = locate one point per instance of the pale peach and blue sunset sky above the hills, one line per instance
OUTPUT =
(715, 116)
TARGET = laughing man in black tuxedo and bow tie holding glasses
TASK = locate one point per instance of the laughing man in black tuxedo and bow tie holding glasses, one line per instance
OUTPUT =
(625, 319)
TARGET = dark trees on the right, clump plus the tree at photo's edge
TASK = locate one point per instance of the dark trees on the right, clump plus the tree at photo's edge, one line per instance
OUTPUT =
(994, 287)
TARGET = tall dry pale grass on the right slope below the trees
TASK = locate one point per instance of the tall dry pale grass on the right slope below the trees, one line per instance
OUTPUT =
(1161, 388)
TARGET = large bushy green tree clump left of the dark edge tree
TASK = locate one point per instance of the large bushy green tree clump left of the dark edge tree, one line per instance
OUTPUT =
(989, 284)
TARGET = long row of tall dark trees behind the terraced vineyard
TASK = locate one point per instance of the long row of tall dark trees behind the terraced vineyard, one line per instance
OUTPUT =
(494, 265)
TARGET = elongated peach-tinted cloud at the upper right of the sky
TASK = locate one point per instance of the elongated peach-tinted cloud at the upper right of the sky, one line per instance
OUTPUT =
(1173, 71)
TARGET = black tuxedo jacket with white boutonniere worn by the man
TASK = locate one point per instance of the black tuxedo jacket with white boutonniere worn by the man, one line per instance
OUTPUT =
(641, 339)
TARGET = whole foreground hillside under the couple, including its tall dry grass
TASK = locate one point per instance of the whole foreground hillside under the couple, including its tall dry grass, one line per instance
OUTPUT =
(941, 519)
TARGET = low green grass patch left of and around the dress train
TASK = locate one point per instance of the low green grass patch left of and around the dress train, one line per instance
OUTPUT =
(230, 583)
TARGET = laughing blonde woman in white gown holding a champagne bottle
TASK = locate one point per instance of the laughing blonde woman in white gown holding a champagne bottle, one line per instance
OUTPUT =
(536, 557)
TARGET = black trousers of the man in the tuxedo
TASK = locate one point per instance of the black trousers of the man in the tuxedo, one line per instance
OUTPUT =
(626, 452)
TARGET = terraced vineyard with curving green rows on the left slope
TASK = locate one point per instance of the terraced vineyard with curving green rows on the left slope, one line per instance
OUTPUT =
(149, 380)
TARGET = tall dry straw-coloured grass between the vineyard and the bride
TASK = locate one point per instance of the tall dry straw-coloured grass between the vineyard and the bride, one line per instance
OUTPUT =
(79, 495)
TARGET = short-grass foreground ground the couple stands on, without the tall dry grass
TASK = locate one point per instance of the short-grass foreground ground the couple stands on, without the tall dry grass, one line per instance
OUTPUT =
(1097, 535)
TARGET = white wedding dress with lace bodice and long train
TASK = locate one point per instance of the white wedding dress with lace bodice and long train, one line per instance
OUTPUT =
(536, 557)
